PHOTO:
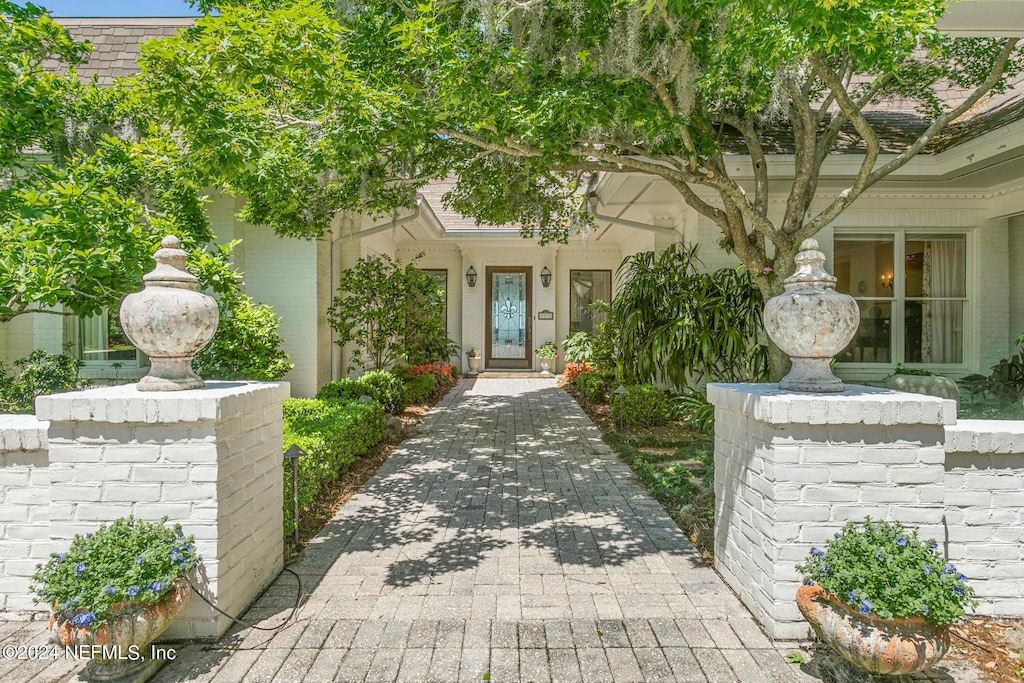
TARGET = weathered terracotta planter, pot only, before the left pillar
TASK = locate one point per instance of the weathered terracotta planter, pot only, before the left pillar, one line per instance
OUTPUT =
(123, 642)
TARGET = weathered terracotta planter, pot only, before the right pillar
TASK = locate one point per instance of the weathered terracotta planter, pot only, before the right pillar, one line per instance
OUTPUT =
(880, 647)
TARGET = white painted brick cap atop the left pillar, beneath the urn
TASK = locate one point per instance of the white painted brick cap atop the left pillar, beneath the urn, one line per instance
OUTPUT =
(218, 401)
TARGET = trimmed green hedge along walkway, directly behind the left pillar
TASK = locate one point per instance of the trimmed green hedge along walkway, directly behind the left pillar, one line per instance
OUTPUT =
(333, 435)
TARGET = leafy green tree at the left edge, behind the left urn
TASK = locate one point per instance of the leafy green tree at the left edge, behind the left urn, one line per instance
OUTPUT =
(89, 184)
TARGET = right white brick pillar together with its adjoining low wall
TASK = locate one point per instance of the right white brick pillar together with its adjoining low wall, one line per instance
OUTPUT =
(791, 469)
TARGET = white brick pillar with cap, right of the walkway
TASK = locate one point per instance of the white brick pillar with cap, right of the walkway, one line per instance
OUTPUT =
(792, 468)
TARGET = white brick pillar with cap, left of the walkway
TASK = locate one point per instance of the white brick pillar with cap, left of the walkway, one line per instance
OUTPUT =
(210, 459)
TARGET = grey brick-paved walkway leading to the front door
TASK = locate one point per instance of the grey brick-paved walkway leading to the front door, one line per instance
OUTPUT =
(505, 542)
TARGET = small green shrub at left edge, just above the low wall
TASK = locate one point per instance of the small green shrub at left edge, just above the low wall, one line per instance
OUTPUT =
(37, 374)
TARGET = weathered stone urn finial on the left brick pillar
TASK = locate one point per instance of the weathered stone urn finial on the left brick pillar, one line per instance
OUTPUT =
(170, 321)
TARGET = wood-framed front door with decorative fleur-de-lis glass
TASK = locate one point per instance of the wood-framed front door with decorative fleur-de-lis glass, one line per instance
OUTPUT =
(509, 333)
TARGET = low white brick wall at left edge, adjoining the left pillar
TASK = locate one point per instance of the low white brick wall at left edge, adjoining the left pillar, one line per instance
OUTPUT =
(25, 500)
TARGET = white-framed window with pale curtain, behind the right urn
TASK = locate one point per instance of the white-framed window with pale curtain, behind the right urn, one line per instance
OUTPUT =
(912, 290)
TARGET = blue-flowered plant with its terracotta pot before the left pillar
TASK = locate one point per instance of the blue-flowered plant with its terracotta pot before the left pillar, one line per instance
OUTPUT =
(119, 589)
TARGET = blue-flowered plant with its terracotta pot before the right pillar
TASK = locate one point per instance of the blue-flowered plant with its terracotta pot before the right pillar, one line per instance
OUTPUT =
(883, 599)
